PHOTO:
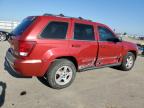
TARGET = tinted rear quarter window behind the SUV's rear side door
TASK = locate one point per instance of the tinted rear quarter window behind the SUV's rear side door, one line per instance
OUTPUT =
(55, 30)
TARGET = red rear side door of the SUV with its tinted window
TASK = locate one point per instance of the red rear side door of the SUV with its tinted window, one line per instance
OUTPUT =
(84, 45)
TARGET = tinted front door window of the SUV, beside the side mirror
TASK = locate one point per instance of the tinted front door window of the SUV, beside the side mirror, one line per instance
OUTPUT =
(105, 34)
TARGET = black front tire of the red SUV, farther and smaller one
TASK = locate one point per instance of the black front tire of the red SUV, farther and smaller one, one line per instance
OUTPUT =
(124, 62)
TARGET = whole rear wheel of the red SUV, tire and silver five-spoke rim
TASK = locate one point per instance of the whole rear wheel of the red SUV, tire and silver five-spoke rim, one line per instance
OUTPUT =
(61, 74)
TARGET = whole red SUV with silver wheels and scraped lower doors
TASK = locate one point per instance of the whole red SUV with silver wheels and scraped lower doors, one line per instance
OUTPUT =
(55, 47)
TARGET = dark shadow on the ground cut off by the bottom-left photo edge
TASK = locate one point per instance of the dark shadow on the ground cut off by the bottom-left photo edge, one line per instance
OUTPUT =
(2, 93)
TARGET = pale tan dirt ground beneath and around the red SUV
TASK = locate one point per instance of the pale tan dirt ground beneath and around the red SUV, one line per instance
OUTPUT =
(100, 88)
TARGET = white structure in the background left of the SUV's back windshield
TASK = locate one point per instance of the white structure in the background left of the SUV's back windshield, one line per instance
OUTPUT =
(8, 25)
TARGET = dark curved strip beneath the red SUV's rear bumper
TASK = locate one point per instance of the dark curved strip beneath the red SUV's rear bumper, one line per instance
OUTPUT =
(12, 72)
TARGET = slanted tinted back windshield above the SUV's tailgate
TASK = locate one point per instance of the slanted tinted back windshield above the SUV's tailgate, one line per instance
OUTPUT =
(23, 26)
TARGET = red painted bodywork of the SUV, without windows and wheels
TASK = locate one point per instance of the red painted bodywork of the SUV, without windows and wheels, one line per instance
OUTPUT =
(42, 52)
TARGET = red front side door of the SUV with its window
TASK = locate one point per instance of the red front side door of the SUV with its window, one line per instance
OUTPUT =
(110, 52)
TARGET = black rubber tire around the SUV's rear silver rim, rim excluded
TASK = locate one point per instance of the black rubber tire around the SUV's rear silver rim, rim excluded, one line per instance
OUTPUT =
(51, 73)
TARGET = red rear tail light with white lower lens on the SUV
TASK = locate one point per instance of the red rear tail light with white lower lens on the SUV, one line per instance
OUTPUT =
(25, 48)
